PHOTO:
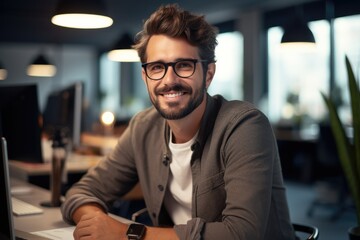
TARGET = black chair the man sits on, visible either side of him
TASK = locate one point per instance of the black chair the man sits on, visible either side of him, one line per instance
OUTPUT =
(310, 232)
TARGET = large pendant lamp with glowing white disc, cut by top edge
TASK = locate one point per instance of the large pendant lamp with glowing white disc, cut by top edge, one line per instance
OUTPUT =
(81, 14)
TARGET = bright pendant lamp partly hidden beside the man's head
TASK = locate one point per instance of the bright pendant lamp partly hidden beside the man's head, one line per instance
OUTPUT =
(122, 50)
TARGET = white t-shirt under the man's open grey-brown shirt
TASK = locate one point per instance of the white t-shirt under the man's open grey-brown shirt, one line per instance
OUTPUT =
(178, 199)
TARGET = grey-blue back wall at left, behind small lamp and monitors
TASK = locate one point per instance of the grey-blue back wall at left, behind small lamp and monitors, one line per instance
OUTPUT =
(73, 62)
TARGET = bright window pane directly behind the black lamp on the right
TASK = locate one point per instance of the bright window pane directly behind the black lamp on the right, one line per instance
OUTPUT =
(296, 78)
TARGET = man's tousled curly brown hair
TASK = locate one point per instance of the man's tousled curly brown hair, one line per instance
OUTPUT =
(175, 22)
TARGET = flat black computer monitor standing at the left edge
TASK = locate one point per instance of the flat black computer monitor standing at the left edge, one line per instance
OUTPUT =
(20, 122)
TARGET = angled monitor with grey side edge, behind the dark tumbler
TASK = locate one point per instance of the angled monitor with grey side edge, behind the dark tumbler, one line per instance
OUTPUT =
(63, 112)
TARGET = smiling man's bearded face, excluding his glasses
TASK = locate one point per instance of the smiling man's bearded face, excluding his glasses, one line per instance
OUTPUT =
(175, 97)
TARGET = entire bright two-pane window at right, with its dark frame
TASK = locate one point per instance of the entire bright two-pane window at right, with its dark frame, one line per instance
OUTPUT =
(295, 80)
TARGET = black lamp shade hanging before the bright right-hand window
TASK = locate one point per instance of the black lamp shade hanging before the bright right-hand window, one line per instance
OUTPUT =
(297, 32)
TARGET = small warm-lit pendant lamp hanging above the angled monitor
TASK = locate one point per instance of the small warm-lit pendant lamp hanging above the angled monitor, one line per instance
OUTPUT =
(41, 67)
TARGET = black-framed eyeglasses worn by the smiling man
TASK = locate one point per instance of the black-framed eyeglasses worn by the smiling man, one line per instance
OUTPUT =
(183, 68)
